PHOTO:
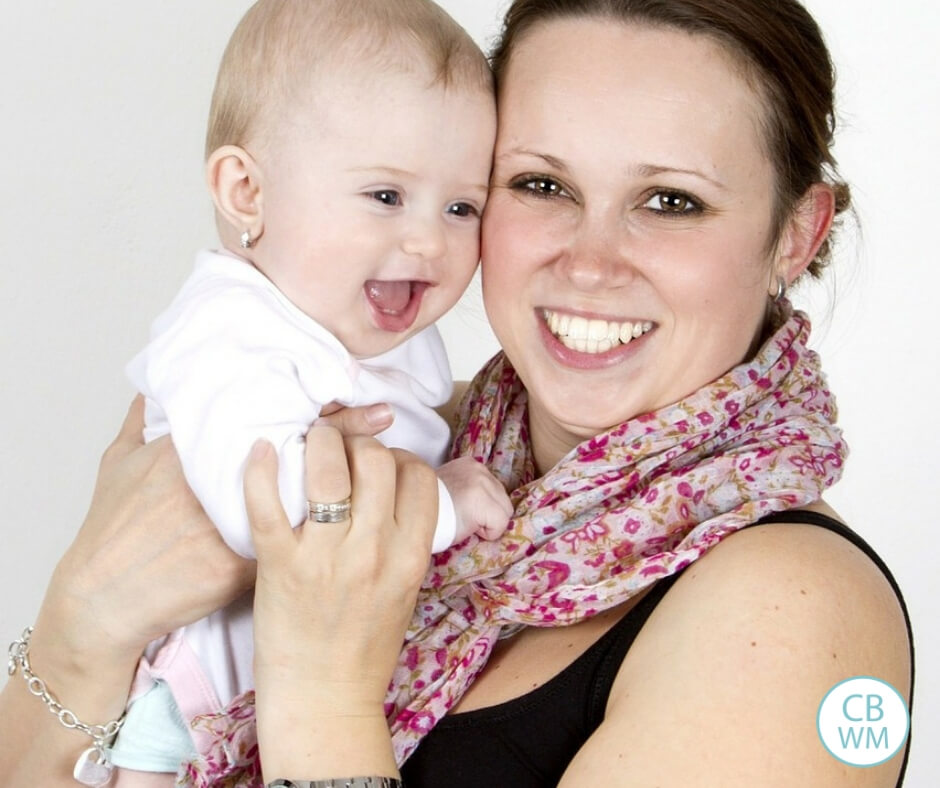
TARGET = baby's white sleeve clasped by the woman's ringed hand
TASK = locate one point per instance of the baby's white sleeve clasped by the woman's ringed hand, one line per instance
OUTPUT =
(225, 371)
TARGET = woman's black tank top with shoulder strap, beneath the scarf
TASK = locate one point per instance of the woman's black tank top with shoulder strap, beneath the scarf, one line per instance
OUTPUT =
(529, 741)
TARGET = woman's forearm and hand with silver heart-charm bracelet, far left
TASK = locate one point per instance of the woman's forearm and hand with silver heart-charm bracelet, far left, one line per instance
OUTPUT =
(146, 561)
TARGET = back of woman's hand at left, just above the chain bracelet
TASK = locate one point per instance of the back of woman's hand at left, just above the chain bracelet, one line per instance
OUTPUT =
(146, 561)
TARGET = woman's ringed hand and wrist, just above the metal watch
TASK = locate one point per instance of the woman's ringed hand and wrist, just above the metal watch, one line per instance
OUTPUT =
(332, 602)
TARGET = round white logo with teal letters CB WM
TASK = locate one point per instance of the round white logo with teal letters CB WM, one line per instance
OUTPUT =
(863, 721)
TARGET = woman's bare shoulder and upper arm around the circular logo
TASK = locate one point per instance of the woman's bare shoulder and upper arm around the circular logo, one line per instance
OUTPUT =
(729, 670)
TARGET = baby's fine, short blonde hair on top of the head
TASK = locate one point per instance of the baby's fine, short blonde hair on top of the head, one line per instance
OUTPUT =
(281, 45)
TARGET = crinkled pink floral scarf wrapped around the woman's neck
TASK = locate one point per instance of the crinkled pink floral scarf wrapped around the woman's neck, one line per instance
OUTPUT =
(621, 510)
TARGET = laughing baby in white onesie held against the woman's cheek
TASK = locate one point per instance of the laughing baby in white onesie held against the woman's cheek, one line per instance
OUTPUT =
(348, 156)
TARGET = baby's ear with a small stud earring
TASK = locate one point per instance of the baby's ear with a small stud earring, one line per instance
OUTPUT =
(234, 181)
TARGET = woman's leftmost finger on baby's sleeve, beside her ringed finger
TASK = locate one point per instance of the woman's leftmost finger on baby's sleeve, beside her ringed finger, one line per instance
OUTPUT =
(270, 530)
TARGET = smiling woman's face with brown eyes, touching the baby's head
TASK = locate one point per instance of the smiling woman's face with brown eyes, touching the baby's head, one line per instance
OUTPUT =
(625, 242)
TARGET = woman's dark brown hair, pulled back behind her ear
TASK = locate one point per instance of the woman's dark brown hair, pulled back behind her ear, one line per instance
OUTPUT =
(784, 57)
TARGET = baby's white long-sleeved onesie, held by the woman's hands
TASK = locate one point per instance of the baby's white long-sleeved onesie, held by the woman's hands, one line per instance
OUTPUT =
(233, 360)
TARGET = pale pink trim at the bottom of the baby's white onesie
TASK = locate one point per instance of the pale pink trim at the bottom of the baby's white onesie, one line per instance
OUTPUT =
(177, 664)
